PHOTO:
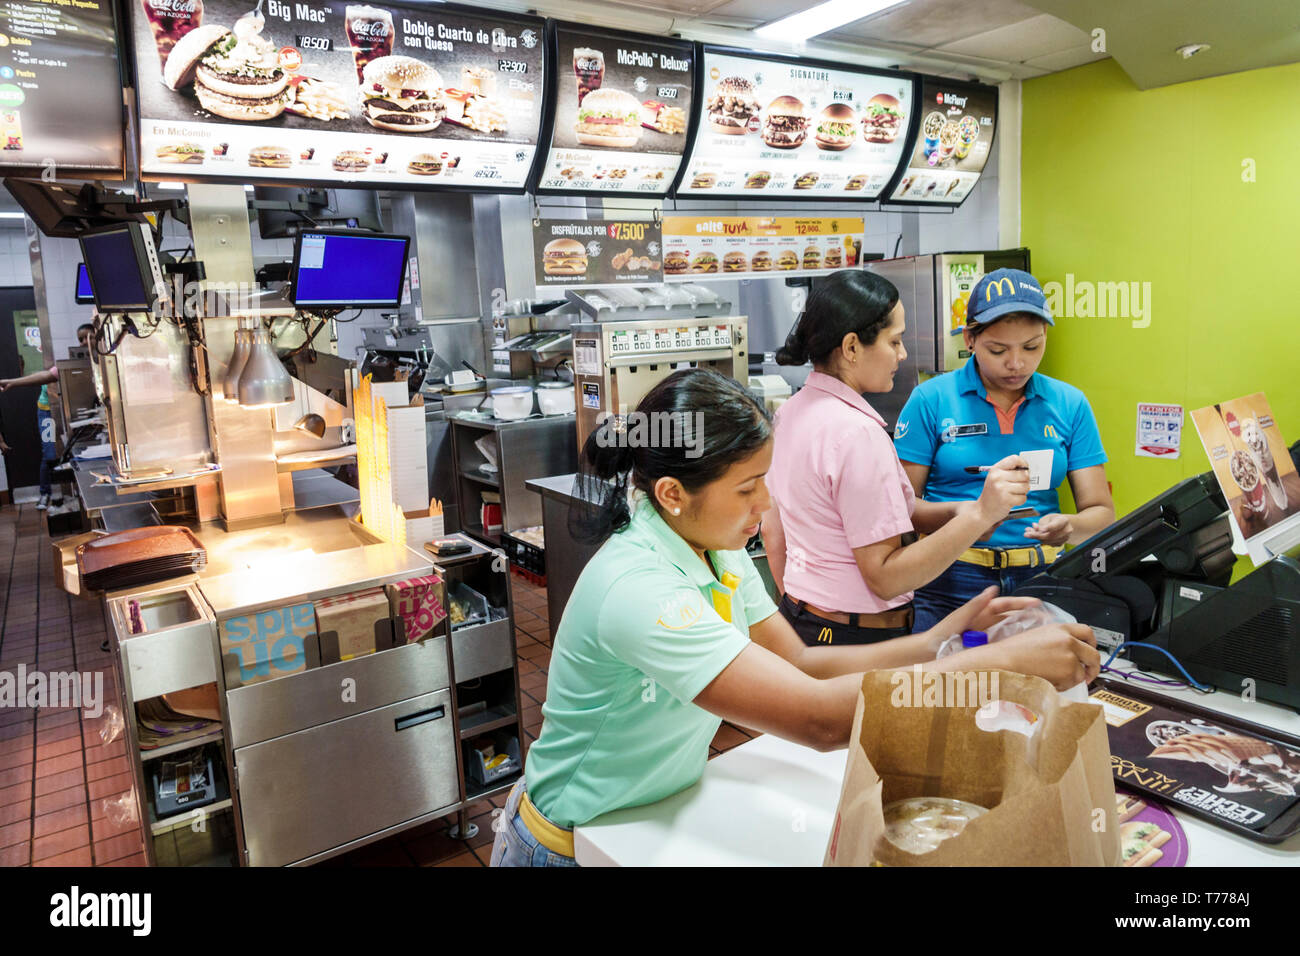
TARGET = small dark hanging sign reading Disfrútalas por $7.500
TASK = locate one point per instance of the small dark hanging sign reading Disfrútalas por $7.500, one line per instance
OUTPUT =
(597, 253)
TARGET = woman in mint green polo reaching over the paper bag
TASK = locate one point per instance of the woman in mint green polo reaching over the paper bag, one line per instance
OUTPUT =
(670, 631)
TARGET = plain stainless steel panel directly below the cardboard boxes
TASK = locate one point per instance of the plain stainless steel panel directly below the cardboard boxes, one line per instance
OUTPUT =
(285, 706)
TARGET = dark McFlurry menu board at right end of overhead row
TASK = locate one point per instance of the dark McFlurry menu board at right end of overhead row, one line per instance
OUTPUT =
(954, 140)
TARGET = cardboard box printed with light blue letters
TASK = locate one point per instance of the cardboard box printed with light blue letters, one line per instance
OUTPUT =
(268, 644)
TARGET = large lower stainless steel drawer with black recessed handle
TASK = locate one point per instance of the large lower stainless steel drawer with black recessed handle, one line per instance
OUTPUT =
(309, 793)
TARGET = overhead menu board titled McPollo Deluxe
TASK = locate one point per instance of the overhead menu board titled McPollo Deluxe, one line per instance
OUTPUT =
(622, 107)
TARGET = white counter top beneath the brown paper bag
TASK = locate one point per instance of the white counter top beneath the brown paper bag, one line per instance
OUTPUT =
(772, 803)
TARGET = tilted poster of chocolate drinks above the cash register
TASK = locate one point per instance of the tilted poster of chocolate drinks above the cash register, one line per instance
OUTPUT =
(1254, 469)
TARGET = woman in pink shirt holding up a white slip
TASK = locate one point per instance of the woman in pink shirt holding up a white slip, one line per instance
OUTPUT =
(842, 504)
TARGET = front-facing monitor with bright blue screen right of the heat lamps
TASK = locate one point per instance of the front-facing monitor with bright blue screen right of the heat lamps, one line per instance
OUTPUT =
(346, 270)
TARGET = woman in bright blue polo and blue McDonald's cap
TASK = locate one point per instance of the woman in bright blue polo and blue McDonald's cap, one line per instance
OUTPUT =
(999, 405)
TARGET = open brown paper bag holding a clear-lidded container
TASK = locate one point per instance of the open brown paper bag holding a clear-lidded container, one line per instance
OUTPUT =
(1051, 798)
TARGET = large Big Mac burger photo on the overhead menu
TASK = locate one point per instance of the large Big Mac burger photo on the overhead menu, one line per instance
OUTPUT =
(235, 77)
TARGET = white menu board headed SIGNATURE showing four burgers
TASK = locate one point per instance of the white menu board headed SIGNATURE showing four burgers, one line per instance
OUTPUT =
(796, 129)
